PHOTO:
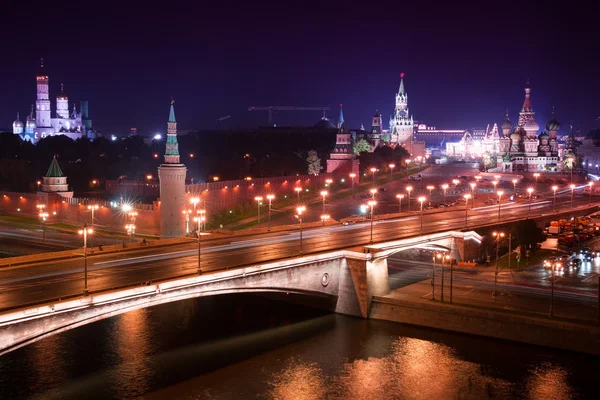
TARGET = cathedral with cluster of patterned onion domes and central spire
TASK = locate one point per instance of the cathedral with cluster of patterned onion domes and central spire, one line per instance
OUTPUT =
(522, 150)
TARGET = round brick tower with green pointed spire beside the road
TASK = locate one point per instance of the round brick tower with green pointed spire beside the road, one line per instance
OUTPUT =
(171, 175)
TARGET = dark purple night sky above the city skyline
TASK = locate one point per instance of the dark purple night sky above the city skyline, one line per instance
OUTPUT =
(464, 65)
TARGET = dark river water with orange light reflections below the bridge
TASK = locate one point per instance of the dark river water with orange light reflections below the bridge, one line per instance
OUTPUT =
(250, 347)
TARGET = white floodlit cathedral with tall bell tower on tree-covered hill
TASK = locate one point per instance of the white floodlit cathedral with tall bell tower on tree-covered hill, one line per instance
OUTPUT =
(39, 123)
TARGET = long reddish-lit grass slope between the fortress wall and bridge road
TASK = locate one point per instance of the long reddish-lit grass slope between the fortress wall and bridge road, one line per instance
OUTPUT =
(337, 191)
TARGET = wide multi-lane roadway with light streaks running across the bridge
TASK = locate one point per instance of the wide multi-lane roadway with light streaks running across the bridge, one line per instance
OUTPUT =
(20, 286)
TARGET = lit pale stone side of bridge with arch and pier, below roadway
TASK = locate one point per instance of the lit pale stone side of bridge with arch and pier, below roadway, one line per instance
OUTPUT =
(345, 281)
